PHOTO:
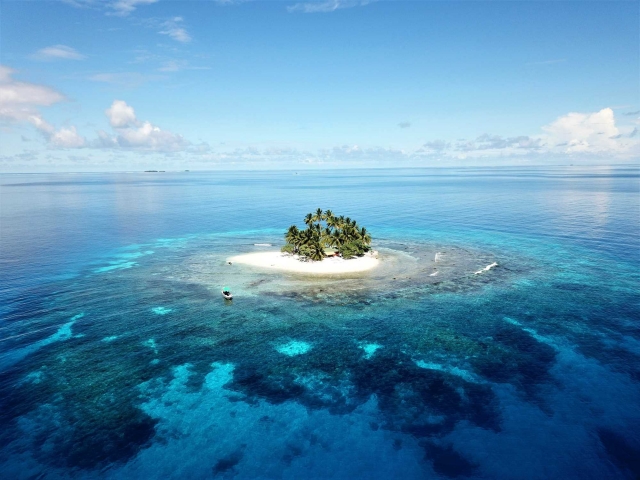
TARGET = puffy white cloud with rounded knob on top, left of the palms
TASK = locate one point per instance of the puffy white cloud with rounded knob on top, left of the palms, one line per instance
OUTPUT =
(136, 135)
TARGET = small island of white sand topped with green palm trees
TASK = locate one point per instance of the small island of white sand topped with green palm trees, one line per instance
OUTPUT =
(329, 244)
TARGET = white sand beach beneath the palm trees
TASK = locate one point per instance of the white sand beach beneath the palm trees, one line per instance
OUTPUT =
(291, 263)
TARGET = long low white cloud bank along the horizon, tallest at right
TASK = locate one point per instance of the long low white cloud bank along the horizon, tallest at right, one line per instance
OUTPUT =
(575, 136)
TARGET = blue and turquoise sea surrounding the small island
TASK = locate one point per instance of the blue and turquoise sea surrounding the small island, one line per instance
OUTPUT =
(119, 358)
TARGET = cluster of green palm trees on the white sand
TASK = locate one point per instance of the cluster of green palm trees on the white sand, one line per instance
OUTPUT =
(325, 230)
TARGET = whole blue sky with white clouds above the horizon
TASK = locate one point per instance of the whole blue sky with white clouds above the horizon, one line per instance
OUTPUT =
(129, 85)
